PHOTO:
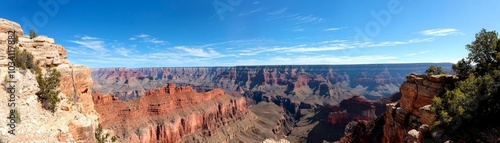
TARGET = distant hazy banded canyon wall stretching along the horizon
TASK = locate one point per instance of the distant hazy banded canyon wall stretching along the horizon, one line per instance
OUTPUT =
(328, 82)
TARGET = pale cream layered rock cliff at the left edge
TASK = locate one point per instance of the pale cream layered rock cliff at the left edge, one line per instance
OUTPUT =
(74, 119)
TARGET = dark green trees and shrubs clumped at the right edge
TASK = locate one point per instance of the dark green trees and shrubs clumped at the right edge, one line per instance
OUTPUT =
(474, 102)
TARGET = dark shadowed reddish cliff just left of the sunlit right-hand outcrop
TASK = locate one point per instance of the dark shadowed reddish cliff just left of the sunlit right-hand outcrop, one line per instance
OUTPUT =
(351, 118)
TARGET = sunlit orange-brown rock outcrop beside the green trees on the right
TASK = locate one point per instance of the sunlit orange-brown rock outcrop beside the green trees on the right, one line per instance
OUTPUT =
(412, 115)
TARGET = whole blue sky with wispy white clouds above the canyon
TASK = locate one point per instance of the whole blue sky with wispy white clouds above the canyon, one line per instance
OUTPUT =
(191, 33)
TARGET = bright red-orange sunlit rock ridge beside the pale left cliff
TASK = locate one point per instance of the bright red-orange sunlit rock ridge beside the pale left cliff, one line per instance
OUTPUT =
(169, 114)
